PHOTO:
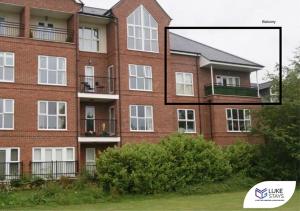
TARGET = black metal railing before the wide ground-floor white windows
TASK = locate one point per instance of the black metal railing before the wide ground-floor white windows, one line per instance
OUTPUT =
(54, 169)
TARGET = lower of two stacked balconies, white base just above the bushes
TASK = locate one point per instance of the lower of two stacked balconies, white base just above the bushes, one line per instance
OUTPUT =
(98, 130)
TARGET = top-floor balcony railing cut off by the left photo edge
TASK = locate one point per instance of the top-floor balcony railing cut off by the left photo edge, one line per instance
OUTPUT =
(11, 29)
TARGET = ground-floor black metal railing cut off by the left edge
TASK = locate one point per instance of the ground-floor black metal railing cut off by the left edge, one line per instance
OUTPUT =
(11, 170)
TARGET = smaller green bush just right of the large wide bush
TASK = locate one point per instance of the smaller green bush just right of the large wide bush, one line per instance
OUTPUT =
(240, 156)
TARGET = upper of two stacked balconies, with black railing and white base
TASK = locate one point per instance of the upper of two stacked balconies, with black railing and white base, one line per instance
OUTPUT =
(101, 88)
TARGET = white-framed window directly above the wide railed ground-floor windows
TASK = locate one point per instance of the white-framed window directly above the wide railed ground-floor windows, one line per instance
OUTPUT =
(52, 115)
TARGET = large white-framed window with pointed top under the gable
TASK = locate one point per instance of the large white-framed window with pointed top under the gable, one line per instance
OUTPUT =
(142, 31)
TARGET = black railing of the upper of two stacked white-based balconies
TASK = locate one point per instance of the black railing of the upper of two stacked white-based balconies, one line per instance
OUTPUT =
(97, 85)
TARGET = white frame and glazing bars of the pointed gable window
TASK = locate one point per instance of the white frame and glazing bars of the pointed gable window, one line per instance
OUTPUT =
(143, 27)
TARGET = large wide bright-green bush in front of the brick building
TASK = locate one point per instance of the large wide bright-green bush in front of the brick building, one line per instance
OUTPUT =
(176, 162)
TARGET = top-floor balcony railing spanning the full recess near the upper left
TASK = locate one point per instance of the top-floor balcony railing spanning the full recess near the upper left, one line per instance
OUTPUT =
(51, 34)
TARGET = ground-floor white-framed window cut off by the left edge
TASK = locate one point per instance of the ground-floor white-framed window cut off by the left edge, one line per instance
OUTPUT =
(9, 163)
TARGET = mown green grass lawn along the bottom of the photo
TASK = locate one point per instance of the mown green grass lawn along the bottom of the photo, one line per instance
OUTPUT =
(225, 201)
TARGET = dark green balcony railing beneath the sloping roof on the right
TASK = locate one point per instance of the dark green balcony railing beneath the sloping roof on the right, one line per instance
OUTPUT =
(231, 90)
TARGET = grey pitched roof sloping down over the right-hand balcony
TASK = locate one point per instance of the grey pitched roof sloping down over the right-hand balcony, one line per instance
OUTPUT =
(183, 44)
